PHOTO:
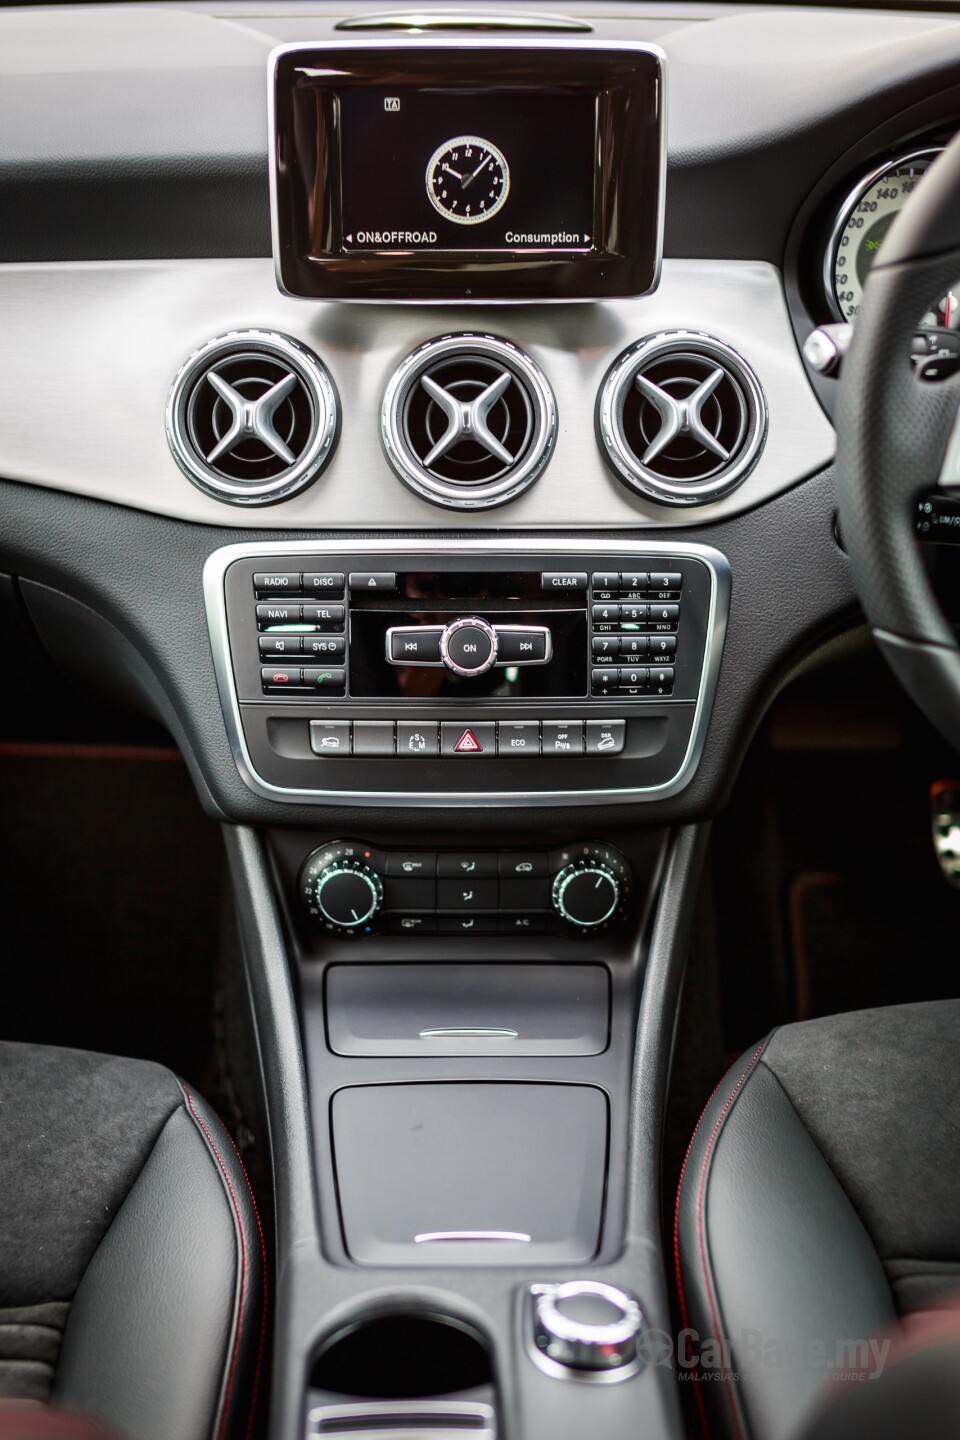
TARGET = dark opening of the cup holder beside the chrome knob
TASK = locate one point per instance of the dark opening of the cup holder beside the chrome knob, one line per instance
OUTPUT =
(402, 1357)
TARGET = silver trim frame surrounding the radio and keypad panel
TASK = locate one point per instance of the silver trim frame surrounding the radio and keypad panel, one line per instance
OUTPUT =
(215, 601)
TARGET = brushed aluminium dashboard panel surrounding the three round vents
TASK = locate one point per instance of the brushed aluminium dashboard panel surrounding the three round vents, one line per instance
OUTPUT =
(97, 345)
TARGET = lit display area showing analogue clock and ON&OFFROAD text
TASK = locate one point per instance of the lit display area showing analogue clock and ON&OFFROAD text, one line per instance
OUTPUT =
(438, 171)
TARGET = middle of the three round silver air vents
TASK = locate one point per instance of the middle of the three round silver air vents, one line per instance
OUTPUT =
(468, 423)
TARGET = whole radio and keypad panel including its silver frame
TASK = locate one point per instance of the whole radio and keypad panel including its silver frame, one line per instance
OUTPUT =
(450, 673)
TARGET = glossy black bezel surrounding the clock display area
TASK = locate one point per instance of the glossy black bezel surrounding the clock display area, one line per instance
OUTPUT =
(628, 83)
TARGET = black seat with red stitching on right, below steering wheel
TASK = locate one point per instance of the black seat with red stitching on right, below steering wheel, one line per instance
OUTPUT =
(820, 1205)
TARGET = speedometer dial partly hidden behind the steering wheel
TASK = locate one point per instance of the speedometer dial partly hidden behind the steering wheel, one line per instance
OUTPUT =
(861, 228)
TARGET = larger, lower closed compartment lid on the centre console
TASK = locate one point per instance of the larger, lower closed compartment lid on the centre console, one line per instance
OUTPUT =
(471, 1173)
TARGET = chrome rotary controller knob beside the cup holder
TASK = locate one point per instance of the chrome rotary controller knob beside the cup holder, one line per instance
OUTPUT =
(587, 1327)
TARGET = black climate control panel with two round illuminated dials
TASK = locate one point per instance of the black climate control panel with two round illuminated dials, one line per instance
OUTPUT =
(352, 889)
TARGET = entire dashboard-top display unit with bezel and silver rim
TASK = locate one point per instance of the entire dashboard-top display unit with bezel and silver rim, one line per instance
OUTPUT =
(492, 171)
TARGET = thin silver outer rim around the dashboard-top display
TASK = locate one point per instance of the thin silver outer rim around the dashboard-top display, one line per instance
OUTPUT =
(448, 42)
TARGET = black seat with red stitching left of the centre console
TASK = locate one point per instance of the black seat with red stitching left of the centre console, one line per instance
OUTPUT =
(132, 1262)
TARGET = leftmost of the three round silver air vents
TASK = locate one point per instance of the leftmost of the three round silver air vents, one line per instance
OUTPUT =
(253, 418)
